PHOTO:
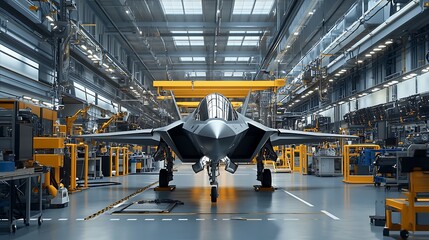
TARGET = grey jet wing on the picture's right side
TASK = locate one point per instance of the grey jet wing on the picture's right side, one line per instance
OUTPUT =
(285, 137)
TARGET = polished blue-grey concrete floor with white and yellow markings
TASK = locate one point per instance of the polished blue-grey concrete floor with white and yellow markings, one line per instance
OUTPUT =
(303, 207)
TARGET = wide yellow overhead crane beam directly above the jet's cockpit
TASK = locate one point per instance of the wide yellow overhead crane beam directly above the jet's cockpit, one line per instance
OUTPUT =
(230, 89)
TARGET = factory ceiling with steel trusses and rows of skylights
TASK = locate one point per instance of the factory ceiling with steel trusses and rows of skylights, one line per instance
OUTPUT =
(217, 39)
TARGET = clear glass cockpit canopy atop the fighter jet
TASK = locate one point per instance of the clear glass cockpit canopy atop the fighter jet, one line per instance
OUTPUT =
(215, 105)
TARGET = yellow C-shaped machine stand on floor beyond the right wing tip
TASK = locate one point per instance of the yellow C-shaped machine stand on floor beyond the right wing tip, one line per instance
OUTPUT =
(354, 150)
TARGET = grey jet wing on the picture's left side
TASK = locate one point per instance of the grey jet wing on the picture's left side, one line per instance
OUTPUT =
(141, 137)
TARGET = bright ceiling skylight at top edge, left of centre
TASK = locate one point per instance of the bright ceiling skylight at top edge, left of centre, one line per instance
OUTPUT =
(182, 6)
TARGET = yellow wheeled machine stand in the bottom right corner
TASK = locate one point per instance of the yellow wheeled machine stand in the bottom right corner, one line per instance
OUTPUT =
(412, 209)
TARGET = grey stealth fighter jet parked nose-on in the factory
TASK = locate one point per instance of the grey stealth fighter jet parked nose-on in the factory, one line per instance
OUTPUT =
(215, 132)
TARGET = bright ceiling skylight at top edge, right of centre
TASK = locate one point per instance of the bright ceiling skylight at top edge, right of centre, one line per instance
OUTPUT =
(253, 6)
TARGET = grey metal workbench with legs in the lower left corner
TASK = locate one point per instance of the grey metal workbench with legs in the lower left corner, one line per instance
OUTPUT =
(16, 182)
